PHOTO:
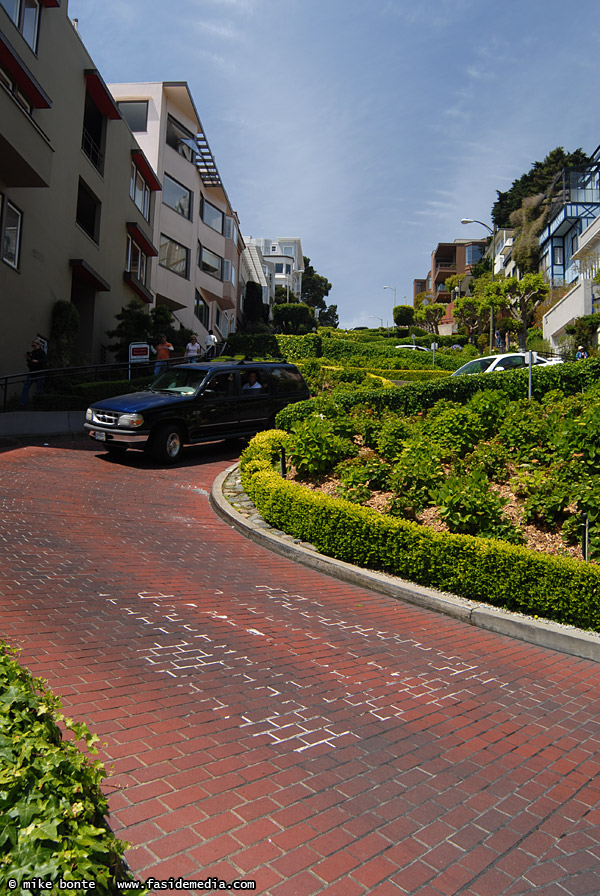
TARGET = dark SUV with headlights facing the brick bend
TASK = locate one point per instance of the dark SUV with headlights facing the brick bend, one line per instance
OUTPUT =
(192, 403)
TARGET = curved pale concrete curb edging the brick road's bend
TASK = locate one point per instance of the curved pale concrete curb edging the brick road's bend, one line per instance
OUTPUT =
(540, 632)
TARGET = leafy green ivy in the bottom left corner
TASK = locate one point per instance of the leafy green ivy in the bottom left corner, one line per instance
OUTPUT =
(52, 810)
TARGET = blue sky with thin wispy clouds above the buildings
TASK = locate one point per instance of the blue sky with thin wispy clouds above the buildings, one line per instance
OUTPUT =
(367, 128)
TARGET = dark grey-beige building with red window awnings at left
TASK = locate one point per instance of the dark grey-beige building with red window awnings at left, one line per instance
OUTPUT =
(77, 193)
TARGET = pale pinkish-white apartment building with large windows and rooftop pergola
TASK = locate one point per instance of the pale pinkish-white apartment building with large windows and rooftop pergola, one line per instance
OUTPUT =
(197, 271)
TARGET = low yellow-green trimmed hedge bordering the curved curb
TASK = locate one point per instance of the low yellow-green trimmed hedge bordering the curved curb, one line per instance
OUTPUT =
(484, 570)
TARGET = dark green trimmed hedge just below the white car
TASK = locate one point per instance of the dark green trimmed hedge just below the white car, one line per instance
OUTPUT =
(570, 378)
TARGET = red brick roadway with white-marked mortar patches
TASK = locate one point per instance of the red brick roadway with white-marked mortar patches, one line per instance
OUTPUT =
(266, 722)
